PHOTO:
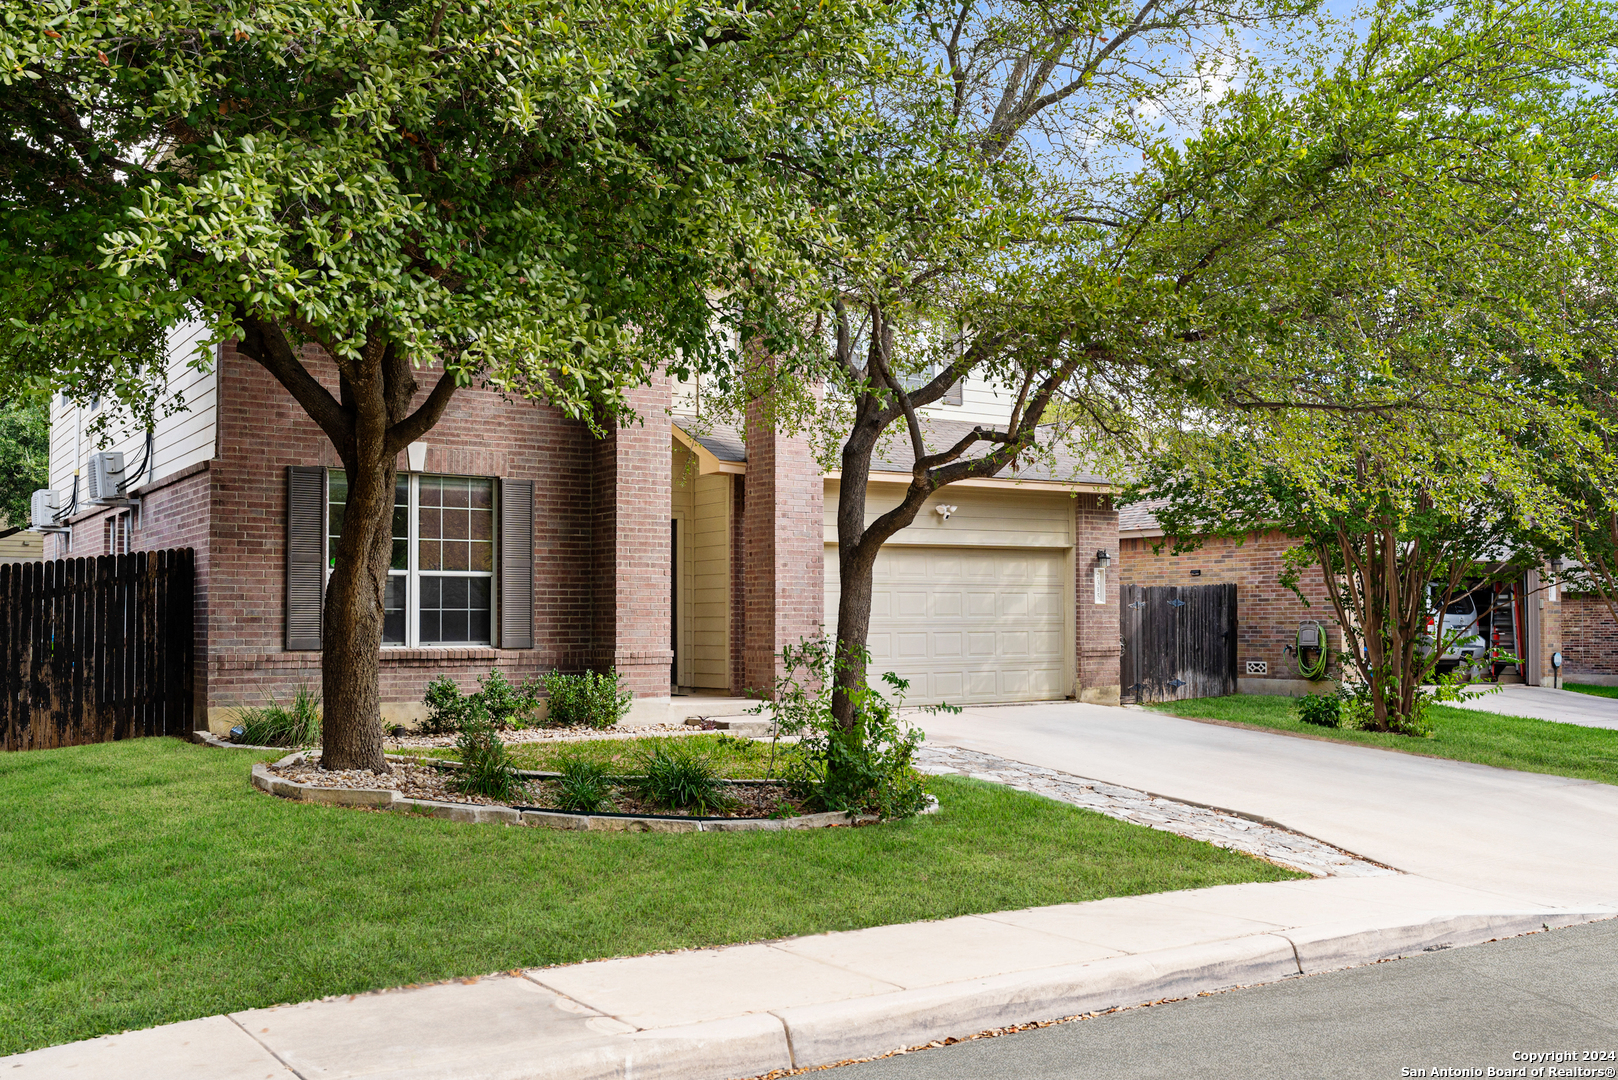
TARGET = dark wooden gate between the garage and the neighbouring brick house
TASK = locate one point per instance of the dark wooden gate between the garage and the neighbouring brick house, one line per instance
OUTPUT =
(1179, 642)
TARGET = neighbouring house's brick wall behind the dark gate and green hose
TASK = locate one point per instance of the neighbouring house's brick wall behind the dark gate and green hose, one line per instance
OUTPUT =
(1268, 614)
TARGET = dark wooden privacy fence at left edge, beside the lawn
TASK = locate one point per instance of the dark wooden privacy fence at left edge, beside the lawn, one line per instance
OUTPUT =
(95, 650)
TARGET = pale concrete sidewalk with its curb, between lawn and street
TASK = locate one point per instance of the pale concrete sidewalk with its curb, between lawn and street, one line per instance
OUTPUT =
(742, 1011)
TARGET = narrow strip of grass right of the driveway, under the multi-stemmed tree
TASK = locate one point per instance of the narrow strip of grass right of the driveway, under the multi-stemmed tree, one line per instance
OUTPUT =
(1510, 742)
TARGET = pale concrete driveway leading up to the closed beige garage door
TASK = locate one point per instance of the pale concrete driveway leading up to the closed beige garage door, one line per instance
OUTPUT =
(1523, 836)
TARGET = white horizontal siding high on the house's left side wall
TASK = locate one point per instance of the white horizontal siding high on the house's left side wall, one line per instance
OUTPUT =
(180, 440)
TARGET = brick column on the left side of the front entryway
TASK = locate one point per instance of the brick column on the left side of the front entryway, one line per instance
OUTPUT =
(632, 514)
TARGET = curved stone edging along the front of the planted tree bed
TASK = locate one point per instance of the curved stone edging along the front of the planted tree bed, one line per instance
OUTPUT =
(388, 799)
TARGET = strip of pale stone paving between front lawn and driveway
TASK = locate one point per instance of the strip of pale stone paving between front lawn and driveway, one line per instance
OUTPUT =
(1127, 804)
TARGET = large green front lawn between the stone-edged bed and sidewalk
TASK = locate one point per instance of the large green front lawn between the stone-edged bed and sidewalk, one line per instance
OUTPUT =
(146, 883)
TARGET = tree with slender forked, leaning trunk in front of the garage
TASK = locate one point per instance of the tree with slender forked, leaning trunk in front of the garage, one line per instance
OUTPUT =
(999, 224)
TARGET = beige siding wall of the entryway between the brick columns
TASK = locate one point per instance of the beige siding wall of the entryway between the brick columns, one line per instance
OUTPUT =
(701, 506)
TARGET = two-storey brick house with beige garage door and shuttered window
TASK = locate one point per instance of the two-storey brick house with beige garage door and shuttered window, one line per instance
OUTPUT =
(682, 555)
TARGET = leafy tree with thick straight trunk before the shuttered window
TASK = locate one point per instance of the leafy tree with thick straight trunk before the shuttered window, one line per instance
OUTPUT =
(415, 195)
